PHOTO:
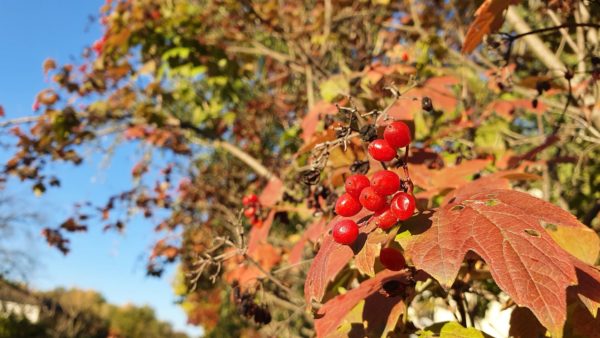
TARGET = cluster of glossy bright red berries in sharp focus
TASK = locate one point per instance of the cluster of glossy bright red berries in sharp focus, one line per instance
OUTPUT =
(383, 194)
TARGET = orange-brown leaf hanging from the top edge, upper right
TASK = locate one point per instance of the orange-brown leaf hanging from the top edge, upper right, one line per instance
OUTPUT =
(489, 18)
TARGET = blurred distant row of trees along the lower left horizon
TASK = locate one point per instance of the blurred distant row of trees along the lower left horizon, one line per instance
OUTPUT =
(78, 313)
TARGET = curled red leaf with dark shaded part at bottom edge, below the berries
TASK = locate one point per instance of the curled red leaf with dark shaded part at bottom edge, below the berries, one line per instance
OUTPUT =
(376, 311)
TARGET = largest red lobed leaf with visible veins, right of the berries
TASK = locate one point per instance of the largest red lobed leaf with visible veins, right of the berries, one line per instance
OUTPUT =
(503, 228)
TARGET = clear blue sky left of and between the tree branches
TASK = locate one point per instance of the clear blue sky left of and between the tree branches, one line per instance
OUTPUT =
(113, 264)
